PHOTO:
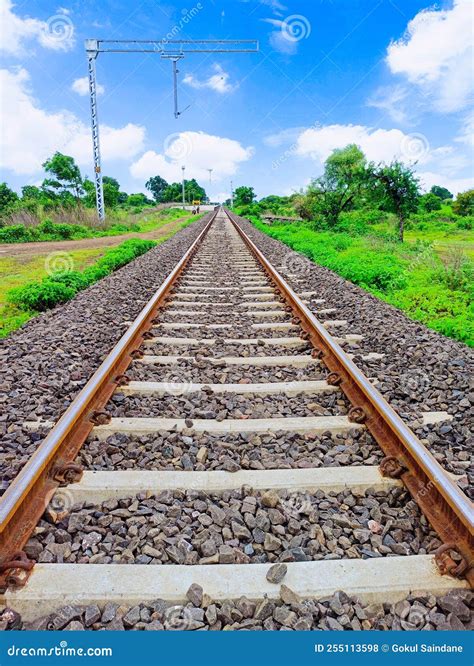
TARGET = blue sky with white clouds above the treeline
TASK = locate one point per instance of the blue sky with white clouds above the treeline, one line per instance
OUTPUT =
(394, 76)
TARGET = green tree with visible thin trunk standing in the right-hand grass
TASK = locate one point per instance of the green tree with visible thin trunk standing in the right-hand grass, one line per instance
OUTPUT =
(397, 188)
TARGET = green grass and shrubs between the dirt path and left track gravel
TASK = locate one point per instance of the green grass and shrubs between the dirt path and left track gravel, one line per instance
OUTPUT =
(21, 273)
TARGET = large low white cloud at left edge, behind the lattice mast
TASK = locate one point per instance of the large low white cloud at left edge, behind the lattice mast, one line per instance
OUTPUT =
(30, 134)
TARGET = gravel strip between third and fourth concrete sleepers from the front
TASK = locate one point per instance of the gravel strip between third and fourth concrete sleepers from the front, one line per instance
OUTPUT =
(207, 405)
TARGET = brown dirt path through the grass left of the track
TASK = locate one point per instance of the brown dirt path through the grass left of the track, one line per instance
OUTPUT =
(12, 250)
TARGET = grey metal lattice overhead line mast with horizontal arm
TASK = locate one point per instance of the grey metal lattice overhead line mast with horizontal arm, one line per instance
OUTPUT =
(173, 50)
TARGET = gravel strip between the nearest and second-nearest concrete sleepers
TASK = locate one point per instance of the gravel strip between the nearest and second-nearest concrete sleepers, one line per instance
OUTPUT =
(241, 526)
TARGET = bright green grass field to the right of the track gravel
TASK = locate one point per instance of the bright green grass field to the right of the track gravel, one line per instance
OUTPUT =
(429, 277)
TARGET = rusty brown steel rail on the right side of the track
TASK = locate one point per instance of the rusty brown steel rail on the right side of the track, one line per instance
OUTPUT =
(447, 508)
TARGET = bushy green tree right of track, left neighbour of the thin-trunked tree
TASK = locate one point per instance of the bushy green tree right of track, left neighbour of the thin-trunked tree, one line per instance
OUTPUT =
(339, 189)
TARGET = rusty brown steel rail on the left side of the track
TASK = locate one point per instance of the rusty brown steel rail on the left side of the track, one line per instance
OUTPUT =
(25, 500)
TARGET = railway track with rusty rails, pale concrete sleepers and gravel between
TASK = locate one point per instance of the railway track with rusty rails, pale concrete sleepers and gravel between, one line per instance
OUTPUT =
(229, 466)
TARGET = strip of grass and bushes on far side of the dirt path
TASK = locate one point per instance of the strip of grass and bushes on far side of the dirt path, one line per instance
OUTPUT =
(119, 223)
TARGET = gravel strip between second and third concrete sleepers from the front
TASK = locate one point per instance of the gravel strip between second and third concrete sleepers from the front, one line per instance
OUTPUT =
(188, 451)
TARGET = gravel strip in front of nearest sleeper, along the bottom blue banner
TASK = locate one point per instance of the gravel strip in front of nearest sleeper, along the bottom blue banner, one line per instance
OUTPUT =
(418, 612)
